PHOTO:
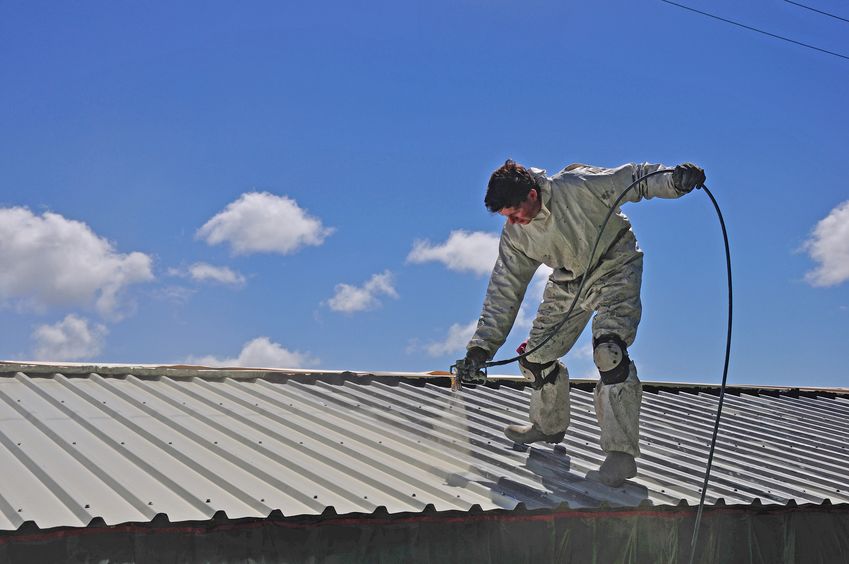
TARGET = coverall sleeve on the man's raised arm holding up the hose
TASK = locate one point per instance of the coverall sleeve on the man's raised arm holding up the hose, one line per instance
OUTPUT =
(608, 183)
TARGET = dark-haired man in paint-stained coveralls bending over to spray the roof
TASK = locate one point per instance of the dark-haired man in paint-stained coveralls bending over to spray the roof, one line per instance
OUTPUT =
(555, 221)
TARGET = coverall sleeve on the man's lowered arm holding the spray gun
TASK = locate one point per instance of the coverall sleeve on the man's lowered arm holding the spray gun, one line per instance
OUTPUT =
(510, 277)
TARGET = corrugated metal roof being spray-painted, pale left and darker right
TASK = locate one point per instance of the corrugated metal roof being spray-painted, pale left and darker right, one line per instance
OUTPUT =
(78, 449)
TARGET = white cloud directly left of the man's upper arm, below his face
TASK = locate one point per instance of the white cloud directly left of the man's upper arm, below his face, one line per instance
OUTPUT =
(464, 251)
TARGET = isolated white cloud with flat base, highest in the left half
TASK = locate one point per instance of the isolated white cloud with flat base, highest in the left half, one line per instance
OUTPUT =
(259, 222)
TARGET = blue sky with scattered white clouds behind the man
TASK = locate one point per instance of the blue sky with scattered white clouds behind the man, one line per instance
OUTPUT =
(301, 184)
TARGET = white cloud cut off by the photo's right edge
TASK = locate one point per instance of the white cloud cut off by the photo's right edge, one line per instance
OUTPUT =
(829, 246)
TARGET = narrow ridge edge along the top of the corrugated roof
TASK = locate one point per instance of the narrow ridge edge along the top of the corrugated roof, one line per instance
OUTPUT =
(238, 372)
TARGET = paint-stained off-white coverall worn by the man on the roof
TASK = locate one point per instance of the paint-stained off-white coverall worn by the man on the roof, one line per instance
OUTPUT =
(575, 202)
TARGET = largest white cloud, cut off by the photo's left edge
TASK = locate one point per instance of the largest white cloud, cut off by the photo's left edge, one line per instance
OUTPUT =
(51, 261)
